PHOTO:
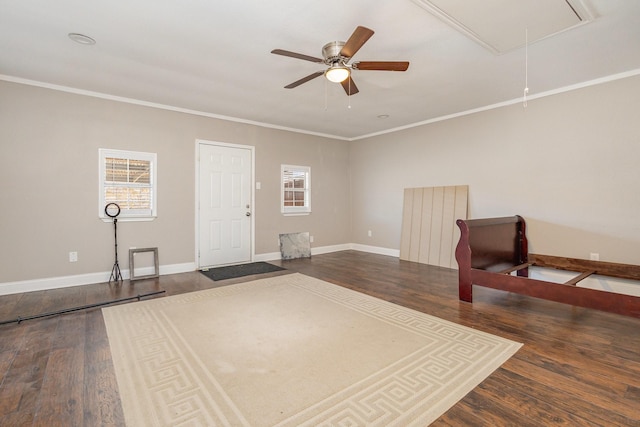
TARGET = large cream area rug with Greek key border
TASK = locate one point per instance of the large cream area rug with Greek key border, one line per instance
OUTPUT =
(292, 351)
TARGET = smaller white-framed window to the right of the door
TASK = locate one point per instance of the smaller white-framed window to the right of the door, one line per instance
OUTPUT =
(296, 189)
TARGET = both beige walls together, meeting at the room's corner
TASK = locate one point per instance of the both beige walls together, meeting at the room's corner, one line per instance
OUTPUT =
(568, 163)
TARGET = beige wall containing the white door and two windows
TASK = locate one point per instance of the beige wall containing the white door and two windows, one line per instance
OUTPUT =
(49, 144)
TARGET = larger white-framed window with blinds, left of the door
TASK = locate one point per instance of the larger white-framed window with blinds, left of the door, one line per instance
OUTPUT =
(128, 178)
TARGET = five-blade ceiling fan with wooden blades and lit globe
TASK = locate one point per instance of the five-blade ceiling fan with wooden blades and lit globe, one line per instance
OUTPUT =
(337, 56)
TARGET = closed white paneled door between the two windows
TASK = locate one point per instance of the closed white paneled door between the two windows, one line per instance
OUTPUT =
(224, 206)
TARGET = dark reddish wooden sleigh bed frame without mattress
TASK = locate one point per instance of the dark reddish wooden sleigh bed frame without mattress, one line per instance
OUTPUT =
(491, 249)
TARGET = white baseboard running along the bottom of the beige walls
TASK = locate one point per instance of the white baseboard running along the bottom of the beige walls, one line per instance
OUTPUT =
(103, 277)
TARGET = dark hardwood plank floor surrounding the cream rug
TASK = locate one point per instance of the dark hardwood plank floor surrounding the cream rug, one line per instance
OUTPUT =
(578, 367)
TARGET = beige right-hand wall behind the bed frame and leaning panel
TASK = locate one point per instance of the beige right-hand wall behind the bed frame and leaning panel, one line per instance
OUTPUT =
(568, 163)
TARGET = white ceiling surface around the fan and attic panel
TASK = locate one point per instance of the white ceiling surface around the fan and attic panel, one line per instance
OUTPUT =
(213, 57)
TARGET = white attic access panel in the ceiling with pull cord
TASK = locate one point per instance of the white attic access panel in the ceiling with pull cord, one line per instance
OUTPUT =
(499, 25)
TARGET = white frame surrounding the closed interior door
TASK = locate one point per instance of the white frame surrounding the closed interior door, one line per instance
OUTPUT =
(252, 150)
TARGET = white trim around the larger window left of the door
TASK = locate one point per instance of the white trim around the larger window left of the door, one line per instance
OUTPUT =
(104, 153)
